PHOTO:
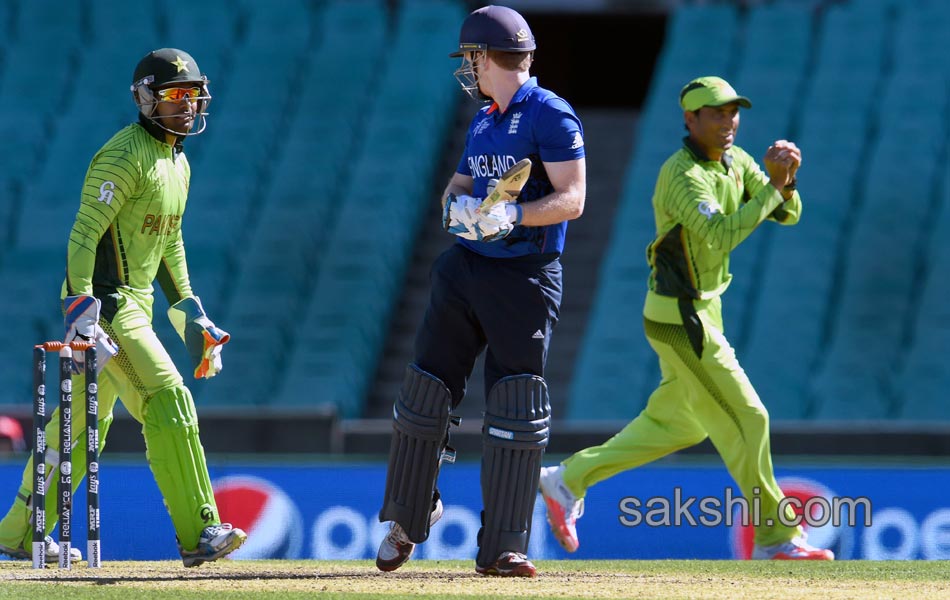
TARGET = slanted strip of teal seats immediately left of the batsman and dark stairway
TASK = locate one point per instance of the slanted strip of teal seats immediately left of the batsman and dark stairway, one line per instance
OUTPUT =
(365, 254)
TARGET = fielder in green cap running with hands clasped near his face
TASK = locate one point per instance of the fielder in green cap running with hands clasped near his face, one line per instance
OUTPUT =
(710, 195)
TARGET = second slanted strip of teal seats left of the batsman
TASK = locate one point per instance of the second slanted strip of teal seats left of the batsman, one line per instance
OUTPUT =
(295, 211)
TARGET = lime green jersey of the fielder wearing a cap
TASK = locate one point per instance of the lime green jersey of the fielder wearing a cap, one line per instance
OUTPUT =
(703, 210)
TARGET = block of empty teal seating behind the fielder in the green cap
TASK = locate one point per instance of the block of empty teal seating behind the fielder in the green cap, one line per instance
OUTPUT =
(867, 324)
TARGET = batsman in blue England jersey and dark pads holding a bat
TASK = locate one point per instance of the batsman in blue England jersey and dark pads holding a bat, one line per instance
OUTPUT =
(498, 290)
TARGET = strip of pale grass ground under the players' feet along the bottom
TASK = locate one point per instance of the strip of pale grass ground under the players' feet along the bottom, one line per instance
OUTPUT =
(457, 579)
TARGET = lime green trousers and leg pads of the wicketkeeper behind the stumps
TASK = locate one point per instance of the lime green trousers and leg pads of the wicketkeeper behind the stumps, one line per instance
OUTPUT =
(151, 388)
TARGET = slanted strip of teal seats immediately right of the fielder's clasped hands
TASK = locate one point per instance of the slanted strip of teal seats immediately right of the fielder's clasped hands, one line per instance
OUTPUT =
(798, 278)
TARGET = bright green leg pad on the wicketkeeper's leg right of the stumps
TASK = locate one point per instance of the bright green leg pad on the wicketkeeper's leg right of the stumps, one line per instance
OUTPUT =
(177, 460)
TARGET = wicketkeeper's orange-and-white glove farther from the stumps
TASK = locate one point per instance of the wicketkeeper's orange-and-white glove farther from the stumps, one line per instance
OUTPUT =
(202, 338)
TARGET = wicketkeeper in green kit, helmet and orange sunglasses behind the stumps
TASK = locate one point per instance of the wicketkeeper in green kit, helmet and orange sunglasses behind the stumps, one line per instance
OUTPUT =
(127, 234)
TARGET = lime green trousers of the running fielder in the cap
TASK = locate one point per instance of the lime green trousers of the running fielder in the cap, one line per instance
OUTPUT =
(698, 396)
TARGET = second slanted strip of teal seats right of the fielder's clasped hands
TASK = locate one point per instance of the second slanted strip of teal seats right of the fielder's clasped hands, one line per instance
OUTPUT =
(869, 328)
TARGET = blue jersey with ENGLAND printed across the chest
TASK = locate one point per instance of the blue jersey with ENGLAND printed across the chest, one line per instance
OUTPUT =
(538, 125)
